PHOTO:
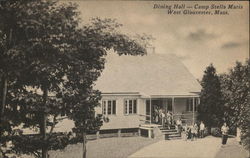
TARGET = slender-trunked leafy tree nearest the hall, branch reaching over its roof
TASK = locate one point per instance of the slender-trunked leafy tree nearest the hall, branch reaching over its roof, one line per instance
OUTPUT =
(80, 81)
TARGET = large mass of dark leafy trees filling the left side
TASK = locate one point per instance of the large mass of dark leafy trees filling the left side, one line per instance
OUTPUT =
(55, 56)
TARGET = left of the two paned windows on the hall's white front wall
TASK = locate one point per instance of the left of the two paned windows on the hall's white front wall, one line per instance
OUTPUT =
(109, 107)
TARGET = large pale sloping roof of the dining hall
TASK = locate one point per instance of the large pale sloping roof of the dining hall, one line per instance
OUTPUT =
(152, 74)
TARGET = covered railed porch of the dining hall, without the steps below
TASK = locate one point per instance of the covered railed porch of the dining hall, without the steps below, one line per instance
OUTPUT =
(180, 107)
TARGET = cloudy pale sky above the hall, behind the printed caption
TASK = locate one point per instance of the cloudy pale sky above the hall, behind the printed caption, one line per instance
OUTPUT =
(197, 40)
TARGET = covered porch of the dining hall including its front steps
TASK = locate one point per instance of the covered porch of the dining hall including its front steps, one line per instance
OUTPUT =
(180, 107)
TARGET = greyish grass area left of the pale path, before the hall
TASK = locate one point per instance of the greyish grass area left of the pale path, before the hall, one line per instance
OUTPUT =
(114, 147)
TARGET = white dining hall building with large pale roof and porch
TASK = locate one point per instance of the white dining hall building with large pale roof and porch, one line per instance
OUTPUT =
(135, 88)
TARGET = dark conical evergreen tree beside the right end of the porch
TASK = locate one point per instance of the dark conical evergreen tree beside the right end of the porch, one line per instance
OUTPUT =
(211, 106)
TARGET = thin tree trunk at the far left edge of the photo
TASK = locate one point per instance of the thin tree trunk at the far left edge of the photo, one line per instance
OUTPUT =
(3, 101)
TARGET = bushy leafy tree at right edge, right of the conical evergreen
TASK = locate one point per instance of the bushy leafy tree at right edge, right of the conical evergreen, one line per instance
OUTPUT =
(236, 92)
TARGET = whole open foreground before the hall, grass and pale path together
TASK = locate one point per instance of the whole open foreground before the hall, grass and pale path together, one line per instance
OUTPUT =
(122, 147)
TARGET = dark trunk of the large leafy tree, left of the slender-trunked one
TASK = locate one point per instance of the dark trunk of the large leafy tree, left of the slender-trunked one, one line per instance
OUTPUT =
(43, 124)
